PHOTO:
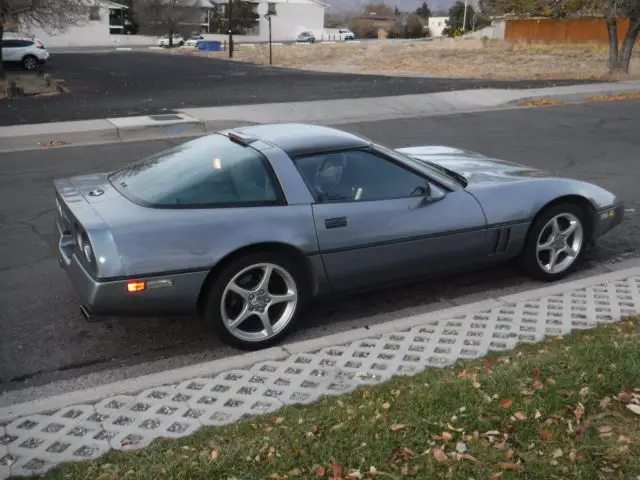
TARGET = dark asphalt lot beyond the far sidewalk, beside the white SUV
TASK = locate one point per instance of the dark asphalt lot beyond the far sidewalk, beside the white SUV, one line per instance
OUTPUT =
(118, 84)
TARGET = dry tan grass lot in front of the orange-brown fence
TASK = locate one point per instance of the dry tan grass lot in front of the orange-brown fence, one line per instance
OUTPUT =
(468, 58)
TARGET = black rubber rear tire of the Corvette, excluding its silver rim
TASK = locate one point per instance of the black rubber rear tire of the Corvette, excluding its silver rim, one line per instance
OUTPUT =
(213, 304)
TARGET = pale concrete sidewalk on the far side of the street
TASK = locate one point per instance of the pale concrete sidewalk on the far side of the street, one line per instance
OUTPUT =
(199, 121)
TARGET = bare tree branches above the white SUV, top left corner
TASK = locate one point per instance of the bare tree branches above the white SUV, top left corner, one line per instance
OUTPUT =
(50, 15)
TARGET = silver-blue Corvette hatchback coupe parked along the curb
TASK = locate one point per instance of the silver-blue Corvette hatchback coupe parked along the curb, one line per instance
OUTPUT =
(245, 226)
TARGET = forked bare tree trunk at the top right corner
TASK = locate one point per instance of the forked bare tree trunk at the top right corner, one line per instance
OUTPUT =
(620, 55)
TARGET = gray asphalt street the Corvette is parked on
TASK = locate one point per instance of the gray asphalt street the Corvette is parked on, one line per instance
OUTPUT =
(44, 337)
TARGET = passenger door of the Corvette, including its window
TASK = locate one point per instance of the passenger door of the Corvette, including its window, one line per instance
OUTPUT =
(376, 225)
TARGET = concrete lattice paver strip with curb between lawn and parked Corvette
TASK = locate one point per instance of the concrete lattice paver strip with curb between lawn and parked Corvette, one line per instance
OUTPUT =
(127, 415)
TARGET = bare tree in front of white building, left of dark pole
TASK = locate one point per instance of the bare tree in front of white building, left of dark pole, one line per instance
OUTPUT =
(169, 17)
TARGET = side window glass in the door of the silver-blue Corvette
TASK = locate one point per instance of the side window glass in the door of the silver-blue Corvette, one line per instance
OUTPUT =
(358, 175)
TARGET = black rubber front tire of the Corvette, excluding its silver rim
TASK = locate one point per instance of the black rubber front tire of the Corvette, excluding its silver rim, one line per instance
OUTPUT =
(528, 259)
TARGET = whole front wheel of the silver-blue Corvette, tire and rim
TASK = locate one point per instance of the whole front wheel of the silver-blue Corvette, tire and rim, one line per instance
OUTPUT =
(556, 242)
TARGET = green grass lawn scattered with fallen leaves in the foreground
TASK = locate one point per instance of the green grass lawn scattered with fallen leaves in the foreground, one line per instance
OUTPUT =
(562, 409)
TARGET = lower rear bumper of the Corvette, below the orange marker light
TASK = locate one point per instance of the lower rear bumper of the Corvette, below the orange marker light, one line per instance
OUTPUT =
(171, 294)
